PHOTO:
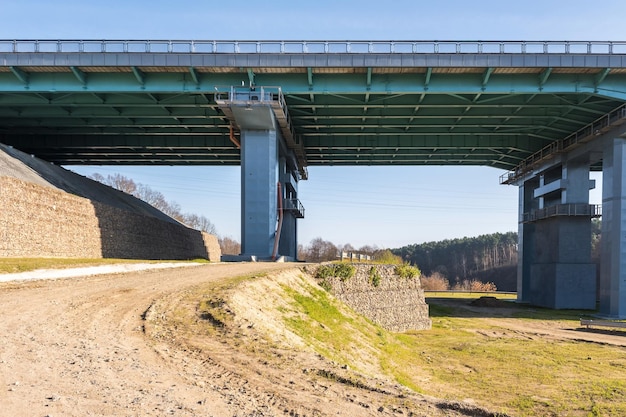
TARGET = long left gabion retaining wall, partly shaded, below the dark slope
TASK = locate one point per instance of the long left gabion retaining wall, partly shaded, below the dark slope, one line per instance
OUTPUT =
(39, 221)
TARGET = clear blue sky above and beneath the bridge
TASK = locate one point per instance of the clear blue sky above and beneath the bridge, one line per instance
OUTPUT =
(383, 206)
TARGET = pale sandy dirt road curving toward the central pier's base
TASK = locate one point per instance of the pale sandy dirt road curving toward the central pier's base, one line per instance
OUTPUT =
(75, 347)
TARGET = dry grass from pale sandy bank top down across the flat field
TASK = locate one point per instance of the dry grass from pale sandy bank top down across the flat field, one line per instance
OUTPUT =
(470, 354)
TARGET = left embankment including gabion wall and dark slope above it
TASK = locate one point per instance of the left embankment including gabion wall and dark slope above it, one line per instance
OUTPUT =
(48, 211)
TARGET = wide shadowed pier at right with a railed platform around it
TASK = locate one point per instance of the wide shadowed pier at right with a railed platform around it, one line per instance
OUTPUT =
(555, 264)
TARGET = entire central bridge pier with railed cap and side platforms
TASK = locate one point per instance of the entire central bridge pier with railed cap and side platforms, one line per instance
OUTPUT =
(272, 162)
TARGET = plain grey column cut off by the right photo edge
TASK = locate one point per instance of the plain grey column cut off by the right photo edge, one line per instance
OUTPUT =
(613, 253)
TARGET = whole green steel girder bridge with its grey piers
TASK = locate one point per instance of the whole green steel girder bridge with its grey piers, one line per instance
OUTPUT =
(545, 113)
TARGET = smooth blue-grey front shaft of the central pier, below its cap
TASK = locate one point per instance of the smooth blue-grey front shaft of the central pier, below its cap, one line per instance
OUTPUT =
(259, 178)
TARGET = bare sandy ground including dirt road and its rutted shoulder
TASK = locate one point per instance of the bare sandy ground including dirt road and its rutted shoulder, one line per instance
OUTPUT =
(122, 345)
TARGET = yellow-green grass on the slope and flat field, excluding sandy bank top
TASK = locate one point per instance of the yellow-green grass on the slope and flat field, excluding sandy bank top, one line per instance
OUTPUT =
(471, 357)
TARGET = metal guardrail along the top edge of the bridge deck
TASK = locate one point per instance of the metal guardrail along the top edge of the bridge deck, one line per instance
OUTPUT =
(310, 47)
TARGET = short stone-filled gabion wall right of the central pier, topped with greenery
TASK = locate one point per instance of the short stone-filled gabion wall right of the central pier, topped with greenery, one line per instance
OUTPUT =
(396, 304)
